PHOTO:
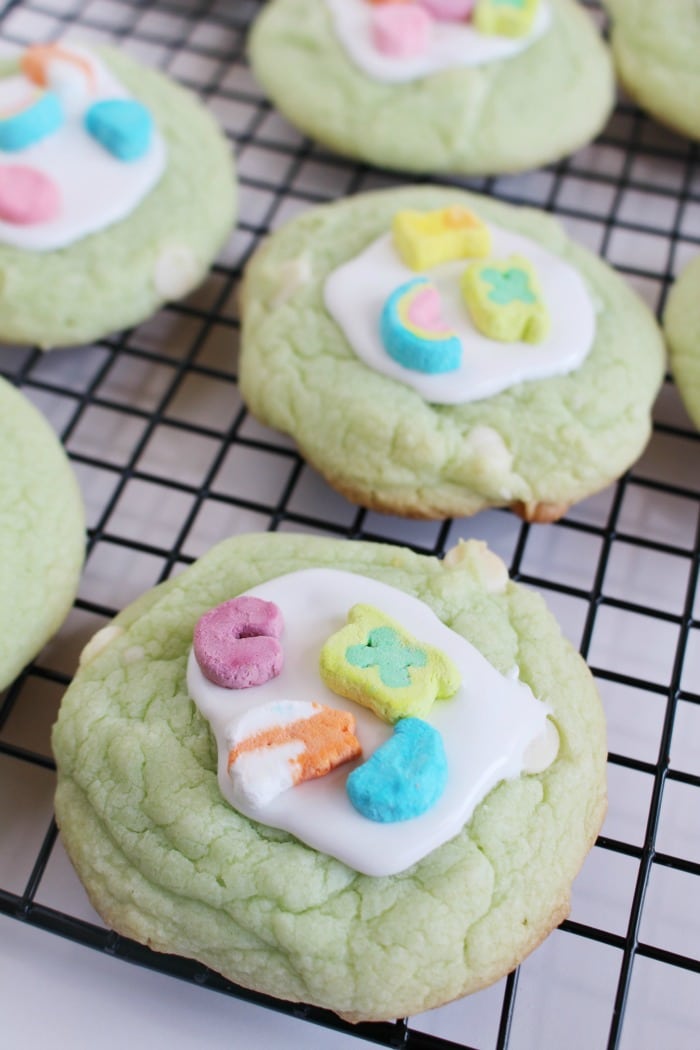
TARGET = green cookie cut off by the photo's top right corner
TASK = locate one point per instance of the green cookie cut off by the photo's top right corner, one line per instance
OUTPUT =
(656, 48)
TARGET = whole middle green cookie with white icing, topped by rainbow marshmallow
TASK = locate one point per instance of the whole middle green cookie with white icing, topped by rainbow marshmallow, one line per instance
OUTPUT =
(533, 426)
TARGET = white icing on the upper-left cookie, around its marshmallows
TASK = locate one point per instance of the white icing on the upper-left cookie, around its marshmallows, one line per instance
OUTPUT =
(97, 191)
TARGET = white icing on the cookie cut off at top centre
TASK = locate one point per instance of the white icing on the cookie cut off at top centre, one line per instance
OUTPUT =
(453, 45)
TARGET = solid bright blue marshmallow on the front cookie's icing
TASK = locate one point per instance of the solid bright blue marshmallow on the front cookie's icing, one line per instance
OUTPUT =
(405, 778)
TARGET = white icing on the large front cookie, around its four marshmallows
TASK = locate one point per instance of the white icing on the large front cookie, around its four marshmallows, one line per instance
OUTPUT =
(489, 728)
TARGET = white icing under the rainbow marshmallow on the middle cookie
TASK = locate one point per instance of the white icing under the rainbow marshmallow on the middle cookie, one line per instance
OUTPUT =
(356, 291)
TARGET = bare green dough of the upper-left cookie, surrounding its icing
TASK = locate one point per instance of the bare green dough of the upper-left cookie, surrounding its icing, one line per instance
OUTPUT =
(122, 275)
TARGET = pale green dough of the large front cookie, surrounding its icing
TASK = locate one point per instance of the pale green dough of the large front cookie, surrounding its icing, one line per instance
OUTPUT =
(168, 863)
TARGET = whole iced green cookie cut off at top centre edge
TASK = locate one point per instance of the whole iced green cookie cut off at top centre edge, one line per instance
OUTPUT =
(458, 99)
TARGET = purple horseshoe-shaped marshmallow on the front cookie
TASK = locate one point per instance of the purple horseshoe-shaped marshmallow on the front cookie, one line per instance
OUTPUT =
(237, 644)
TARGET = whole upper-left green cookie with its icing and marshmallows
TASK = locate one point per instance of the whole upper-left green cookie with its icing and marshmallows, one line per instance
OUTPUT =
(117, 193)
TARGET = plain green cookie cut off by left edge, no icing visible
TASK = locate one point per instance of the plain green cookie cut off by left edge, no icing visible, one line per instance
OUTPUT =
(43, 533)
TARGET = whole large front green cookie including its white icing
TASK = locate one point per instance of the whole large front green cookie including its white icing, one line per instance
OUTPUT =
(144, 791)
